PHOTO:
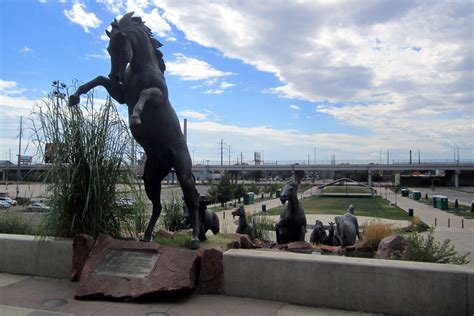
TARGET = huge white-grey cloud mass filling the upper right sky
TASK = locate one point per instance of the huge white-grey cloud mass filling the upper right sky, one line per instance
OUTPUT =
(386, 67)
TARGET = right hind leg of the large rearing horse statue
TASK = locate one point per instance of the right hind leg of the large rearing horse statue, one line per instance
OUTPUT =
(183, 167)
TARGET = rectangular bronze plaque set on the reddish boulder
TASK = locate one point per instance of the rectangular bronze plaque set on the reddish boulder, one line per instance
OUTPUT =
(127, 263)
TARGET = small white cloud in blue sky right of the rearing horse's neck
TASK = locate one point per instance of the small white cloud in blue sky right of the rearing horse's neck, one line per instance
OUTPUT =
(187, 68)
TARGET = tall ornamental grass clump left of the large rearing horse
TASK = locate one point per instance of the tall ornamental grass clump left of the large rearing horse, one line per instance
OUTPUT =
(88, 148)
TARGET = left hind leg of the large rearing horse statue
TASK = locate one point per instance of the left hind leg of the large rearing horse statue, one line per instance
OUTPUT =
(155, 171)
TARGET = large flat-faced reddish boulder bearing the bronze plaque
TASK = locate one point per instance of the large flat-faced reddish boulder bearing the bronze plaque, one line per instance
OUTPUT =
(127, 270)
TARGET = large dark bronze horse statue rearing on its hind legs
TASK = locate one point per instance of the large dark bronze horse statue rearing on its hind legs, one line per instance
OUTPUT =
(137, 79)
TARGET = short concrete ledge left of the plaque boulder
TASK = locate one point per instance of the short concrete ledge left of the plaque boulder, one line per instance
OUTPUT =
(23, 254)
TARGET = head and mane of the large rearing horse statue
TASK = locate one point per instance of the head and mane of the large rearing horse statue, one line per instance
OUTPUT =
(121, 45)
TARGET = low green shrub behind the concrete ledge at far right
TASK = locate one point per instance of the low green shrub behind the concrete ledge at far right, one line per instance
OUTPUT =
(418, 248)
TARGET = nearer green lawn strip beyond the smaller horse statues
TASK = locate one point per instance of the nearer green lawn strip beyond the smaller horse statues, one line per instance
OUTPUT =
(364, 206)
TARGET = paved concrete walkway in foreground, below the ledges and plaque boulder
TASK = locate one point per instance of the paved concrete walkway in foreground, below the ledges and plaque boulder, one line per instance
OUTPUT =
(25, 295)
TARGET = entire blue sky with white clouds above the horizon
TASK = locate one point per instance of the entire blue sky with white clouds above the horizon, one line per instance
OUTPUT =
(349, 78)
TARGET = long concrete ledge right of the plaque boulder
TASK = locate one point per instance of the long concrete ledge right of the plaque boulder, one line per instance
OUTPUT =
(369, 285)
